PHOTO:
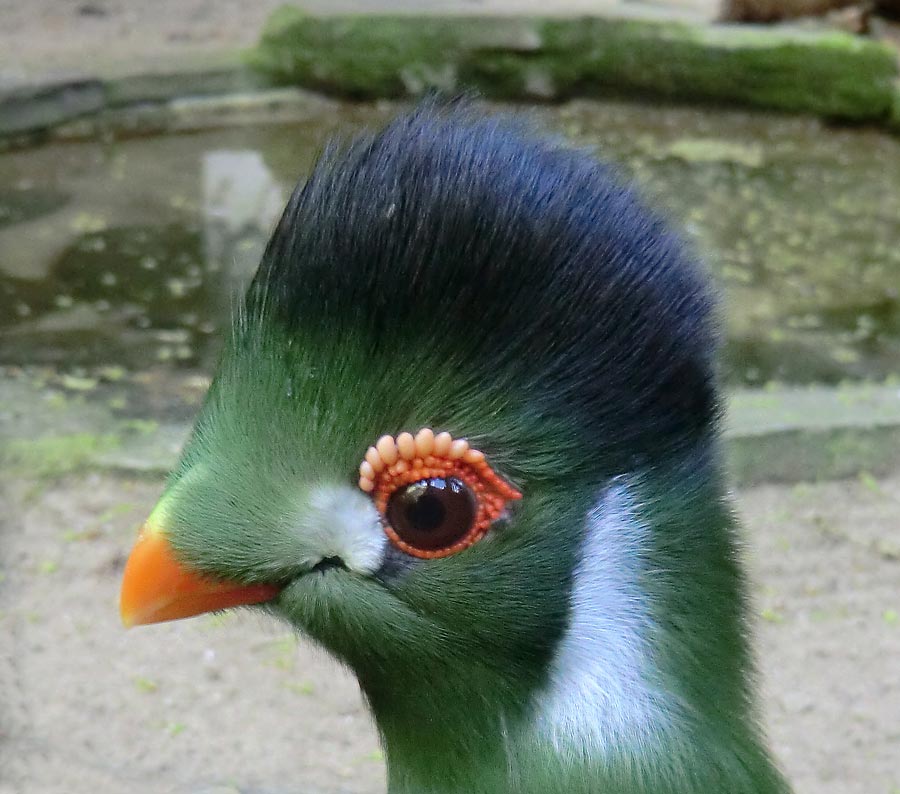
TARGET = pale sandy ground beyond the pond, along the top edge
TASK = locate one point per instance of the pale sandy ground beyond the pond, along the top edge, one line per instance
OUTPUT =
(62, 37)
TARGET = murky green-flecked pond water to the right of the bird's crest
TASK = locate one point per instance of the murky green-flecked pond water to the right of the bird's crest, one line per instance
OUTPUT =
(800, 224)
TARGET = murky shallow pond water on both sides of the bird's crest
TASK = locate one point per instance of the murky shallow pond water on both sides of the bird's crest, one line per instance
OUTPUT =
(132, 253)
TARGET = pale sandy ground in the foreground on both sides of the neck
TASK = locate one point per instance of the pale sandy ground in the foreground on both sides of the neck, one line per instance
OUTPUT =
(235, 703)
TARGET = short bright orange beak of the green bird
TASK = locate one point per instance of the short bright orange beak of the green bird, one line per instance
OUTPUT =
(157, 587)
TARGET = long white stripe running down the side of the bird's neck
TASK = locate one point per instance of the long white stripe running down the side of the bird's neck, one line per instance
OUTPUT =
(599, 696)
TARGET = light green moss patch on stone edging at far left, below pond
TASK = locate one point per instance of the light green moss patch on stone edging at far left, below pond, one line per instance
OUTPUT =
(53, 456)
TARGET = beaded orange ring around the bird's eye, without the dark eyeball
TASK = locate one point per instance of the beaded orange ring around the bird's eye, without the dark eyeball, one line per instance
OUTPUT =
(396, 463)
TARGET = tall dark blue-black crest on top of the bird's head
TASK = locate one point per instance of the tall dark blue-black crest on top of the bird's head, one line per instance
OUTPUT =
(514, 253)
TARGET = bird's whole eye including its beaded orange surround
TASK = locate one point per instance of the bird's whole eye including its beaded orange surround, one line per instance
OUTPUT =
(436, 495)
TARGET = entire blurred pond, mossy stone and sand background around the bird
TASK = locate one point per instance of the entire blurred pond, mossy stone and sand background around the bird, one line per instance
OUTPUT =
(146, 150)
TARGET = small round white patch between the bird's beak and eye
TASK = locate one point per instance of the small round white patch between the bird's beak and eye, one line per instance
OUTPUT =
(341, 521)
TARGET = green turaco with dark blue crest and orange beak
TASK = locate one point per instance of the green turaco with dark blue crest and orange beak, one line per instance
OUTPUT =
(463, 435)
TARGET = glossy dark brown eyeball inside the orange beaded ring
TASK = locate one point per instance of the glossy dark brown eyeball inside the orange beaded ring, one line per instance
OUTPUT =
(432, 514)
